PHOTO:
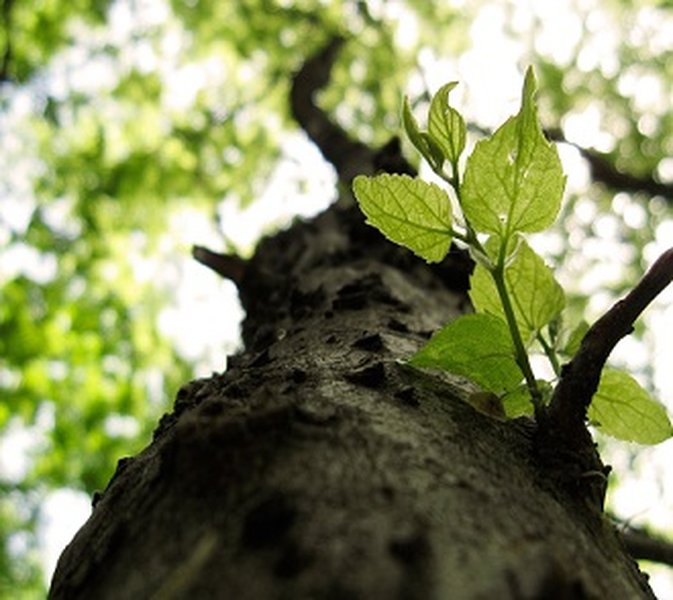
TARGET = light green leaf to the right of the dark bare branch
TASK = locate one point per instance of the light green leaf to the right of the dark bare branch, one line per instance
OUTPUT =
(623, 409)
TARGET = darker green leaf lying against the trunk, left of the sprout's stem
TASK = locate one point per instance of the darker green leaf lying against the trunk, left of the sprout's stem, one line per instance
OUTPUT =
(476, 346)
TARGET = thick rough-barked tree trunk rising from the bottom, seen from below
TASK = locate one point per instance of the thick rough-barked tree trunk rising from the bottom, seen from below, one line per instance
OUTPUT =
(319, 466)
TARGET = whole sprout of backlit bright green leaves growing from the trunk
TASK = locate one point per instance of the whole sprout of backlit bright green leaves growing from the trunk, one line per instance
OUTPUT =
(511, 185)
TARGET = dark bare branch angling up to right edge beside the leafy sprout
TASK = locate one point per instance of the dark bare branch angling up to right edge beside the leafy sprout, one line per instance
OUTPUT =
(580, 377)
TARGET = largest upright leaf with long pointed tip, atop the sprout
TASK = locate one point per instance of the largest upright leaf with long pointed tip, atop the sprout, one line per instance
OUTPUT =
(514, 180)
